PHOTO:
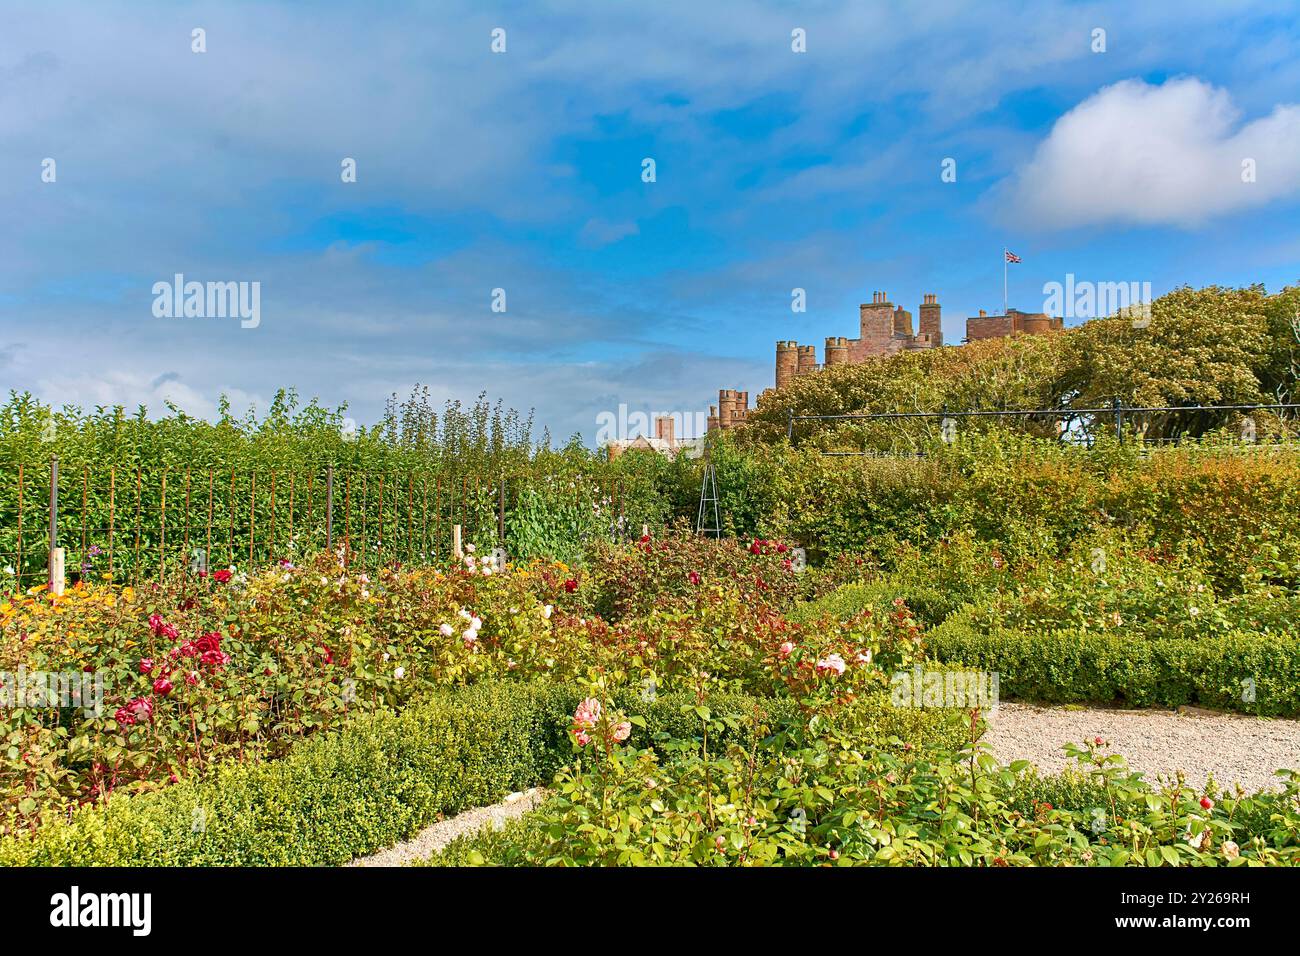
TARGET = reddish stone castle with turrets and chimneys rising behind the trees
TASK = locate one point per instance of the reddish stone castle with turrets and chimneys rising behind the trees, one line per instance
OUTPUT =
(883, 330)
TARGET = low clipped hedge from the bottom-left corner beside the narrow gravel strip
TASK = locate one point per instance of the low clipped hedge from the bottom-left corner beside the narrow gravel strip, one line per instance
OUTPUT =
(376, 782)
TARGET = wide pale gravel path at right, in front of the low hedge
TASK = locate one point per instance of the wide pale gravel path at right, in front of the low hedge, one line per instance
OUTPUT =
(1236, 749)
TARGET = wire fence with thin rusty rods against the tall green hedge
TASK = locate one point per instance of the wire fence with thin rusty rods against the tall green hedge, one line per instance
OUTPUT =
(128, 525)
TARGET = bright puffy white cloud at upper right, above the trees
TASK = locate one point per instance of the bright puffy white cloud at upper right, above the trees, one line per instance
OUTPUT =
(1156, 155)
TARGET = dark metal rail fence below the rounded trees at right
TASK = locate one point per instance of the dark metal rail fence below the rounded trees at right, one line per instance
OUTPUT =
(907, 434)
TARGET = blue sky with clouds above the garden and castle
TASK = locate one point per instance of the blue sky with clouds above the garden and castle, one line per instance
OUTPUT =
(523, 171)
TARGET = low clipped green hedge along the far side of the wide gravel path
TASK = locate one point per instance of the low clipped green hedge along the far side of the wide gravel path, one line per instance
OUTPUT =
(1074, 668)
